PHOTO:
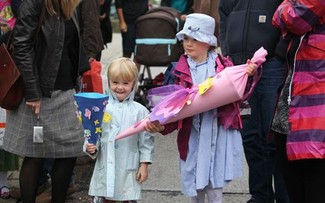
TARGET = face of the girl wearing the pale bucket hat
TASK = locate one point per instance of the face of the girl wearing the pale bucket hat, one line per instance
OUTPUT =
(195, 49)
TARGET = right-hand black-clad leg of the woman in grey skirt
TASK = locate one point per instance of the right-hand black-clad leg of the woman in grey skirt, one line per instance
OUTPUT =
(61, 174)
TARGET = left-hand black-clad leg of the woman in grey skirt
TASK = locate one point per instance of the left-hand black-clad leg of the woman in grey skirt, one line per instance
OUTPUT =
(29, 177)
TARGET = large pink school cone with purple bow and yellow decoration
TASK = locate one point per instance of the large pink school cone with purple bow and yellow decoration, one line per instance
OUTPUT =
(224, 88)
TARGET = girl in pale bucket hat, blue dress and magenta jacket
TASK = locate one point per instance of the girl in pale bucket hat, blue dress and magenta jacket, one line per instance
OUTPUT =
(210, 151)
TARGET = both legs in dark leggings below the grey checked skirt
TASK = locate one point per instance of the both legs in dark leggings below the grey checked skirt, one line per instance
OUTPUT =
(60, 176)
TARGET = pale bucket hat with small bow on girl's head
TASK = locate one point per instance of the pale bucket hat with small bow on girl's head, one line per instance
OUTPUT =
(200, 27)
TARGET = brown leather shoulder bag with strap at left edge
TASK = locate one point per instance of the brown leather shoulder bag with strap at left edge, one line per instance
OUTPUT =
(11, 84)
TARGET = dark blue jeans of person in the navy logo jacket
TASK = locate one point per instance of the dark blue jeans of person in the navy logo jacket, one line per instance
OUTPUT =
(259, 147)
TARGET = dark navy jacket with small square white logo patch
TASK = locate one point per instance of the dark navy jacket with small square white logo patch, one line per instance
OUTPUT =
(246, 25)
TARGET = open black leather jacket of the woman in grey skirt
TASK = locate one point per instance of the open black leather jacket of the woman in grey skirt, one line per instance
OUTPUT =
(38, 57)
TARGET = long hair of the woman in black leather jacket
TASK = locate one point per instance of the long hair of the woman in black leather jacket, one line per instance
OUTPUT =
(66, 7)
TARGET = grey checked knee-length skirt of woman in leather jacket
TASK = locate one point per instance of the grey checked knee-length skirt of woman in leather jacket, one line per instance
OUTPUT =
(63, 133)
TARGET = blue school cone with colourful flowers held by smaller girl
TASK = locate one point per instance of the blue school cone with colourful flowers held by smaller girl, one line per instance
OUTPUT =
(91, 108)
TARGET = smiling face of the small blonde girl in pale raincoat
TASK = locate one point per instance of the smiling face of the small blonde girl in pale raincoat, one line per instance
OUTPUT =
(122, 88)
